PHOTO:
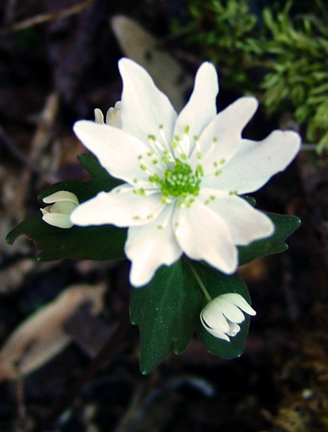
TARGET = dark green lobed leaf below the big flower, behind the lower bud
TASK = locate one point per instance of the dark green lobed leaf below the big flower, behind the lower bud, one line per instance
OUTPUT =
(167, 312)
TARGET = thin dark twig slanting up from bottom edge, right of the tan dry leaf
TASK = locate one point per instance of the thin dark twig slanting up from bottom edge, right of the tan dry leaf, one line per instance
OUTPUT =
(109, 351)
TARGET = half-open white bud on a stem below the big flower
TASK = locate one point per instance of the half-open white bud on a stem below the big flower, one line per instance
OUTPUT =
(221, 316)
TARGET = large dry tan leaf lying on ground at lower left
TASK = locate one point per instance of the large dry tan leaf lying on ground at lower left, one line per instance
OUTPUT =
(41, 336)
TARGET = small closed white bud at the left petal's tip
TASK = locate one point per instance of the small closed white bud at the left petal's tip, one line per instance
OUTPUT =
(58, 213)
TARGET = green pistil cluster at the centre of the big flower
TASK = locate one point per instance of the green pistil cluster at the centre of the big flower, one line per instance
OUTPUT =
(179, 181)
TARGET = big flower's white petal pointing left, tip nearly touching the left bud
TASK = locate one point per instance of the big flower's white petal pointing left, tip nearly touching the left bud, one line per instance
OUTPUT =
(121, 207)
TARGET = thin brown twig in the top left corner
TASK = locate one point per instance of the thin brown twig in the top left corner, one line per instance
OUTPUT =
(50, 16)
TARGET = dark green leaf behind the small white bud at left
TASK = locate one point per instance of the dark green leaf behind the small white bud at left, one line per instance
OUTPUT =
(104, 242)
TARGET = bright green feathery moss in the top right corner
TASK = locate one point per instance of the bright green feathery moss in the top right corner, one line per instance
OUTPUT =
(280, 55)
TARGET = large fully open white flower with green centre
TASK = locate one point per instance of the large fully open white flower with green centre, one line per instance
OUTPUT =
(183, 174)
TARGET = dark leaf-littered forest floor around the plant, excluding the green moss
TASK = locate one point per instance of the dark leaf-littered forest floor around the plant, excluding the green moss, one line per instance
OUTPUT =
(51, 75)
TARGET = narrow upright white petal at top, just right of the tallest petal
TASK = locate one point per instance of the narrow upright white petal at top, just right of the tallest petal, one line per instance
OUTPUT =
(201, 108)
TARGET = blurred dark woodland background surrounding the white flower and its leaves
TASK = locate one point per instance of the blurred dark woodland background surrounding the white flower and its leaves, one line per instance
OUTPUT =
(58, 62)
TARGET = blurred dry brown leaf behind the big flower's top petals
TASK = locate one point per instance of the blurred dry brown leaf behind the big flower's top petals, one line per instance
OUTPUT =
(143, 48)
